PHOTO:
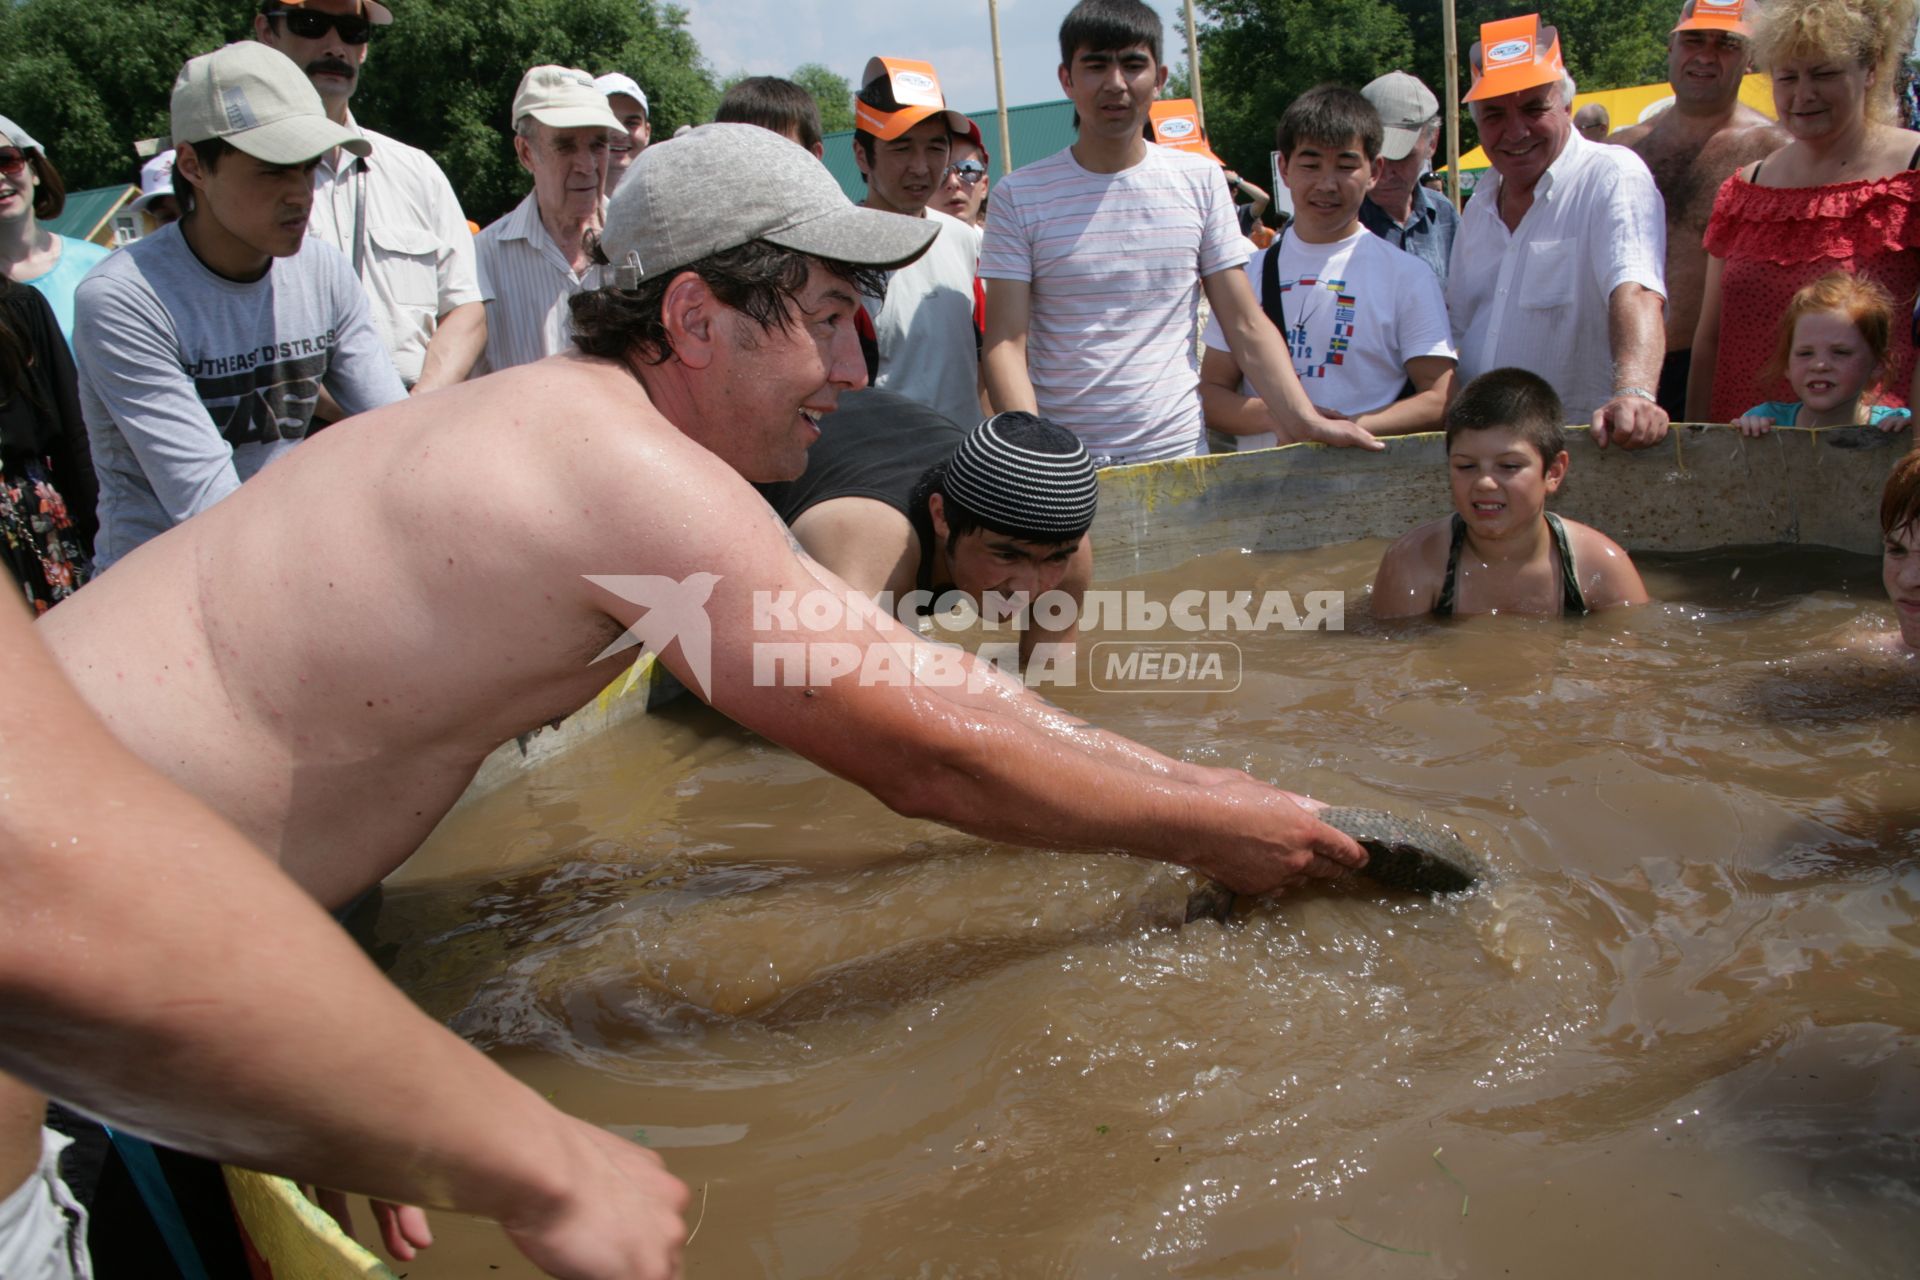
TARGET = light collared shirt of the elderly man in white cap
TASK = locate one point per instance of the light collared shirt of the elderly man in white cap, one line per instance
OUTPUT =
(529, 283)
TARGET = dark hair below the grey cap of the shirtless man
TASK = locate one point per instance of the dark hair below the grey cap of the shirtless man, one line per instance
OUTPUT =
(757, 279)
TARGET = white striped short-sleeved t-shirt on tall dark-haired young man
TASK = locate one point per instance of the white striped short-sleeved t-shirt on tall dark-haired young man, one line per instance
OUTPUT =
(1115, 262)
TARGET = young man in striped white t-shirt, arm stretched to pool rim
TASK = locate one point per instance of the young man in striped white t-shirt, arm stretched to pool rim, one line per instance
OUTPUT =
(1095, 260)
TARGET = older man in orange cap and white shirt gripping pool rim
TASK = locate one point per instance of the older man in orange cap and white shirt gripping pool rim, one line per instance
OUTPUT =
(1560, 258)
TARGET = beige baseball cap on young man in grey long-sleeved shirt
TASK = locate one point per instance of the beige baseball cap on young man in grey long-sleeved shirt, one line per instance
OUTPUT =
(260, 103)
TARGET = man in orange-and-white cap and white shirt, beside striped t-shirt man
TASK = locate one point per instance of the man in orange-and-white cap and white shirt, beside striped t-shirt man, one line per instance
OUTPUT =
(924, 320)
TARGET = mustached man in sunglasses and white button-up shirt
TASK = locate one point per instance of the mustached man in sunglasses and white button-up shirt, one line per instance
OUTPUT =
(393, 210)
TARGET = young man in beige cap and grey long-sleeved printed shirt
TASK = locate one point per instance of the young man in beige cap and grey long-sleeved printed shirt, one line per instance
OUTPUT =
(204, 348)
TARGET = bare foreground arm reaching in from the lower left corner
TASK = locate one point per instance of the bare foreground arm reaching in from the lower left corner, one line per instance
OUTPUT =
(162, 974)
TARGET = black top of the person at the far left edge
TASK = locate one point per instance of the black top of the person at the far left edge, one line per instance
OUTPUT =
(41, 421)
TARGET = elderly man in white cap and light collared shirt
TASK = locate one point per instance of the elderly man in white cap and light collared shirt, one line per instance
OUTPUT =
(535, 260)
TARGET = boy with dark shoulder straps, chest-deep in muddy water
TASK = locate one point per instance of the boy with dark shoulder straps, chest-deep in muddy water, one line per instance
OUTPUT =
(1502, 550)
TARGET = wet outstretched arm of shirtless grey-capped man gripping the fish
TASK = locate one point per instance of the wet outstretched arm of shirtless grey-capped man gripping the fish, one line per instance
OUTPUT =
(934, 734)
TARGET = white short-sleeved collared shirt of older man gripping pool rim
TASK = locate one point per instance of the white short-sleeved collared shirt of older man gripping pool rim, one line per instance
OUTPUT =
(1537, 296)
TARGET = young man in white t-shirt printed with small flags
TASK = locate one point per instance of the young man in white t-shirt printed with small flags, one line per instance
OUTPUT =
(1364, 321)
